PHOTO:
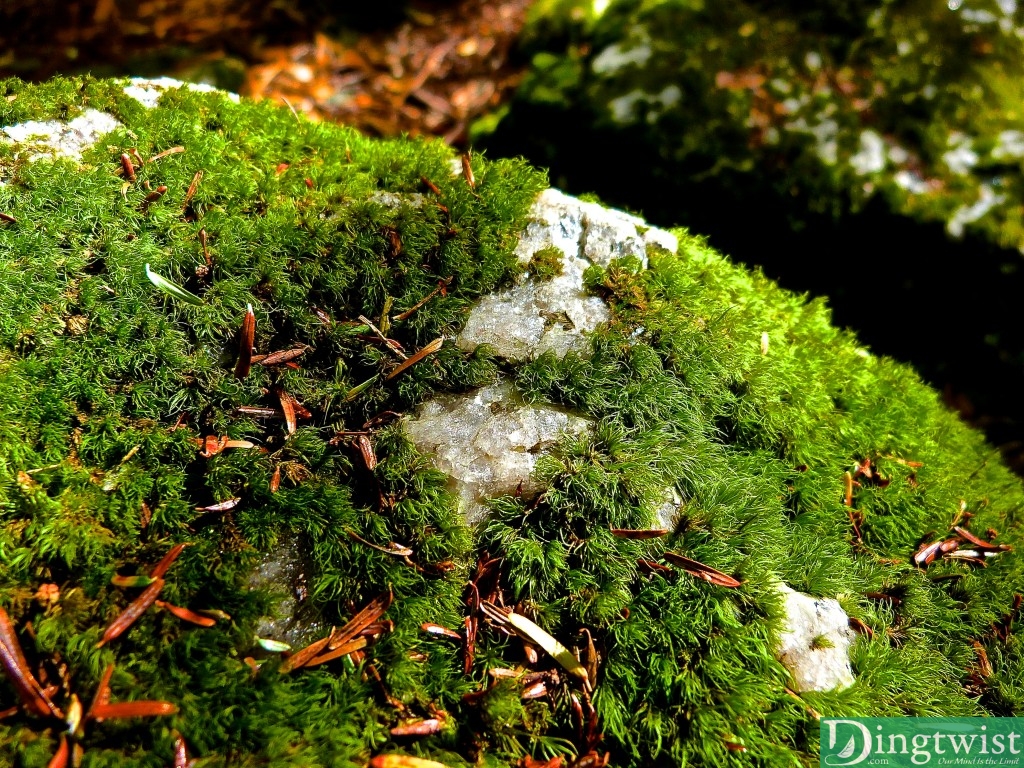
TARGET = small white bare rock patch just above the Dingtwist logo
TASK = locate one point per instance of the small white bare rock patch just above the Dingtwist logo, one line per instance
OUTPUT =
(815, 648)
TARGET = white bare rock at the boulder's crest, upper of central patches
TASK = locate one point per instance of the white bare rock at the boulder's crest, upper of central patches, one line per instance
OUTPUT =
(534, 317)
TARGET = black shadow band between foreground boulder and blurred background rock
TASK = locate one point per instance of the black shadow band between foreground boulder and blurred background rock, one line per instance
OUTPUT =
(951, 309)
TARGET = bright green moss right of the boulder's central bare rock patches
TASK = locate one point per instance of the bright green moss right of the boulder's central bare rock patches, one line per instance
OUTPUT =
(757, 439)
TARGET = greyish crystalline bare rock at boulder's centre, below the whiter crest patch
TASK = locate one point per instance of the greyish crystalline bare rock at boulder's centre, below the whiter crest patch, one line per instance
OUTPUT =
(488, 442)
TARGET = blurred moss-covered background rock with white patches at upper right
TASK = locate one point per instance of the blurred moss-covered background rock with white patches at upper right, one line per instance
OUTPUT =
(834, 103)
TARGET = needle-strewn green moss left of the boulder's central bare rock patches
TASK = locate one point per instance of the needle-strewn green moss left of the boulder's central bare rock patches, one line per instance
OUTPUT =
(90, 407)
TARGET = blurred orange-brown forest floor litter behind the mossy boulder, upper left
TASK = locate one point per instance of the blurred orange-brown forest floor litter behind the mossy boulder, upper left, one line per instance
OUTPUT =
(423, 68)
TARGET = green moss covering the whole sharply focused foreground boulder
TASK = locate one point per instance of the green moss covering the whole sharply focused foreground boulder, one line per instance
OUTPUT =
(706, 378)
